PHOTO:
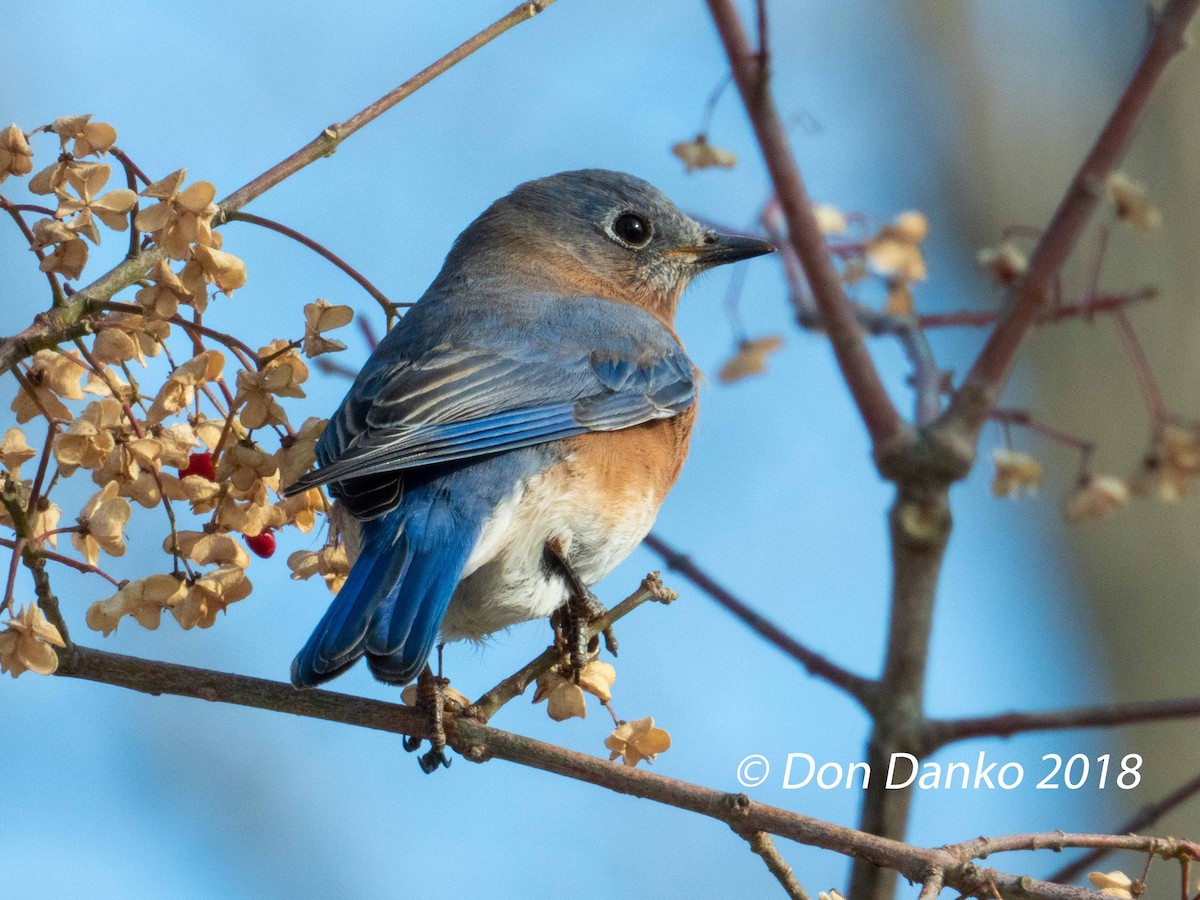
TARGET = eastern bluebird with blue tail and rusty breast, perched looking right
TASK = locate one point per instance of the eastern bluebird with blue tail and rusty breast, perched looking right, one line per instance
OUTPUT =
(536, 395)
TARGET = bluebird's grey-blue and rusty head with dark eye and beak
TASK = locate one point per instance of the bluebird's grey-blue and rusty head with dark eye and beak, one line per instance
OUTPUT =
(597, 233)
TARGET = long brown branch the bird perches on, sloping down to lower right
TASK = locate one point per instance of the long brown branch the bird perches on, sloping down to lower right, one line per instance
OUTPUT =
(479, 743)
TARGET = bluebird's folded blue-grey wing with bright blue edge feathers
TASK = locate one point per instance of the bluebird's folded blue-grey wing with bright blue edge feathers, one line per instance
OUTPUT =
(458, 403)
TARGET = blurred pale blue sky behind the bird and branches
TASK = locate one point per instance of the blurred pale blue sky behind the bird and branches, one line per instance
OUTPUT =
(117, 795)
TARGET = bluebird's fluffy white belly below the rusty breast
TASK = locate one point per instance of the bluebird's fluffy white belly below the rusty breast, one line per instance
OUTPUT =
(507, 581)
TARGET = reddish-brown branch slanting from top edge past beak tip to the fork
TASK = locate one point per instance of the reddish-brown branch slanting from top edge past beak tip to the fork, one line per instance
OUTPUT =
(849, 346)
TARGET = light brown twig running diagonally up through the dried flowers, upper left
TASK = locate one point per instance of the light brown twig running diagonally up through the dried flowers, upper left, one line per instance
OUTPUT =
(67, 321)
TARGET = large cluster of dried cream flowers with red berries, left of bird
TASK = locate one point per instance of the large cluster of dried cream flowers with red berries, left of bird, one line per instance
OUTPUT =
(164, 413)
